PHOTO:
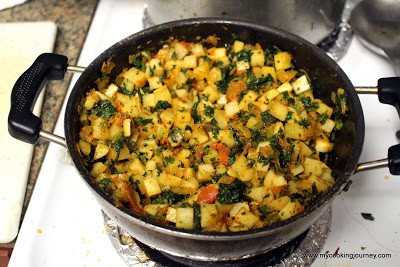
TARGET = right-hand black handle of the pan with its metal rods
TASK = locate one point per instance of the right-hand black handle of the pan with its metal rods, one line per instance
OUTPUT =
(388, 91)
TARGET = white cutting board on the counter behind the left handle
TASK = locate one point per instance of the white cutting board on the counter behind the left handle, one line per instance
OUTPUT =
(20, 44)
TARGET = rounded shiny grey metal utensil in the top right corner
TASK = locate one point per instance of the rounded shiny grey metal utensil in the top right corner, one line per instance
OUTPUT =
(377, 23)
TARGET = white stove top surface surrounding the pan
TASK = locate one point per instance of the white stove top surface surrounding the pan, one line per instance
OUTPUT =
(63, 225)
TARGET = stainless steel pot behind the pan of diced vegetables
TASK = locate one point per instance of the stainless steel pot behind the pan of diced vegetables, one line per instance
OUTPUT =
(313, 20)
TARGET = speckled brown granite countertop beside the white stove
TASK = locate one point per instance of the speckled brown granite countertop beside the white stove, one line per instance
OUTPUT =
(73, 18)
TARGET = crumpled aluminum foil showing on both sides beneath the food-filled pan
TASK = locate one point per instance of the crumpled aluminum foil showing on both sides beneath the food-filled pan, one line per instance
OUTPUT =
(133, 255)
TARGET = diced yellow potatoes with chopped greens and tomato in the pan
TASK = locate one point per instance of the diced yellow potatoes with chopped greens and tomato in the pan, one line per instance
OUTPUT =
(207, 137)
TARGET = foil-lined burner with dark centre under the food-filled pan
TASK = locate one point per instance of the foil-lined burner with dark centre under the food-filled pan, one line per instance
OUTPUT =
(135, 253)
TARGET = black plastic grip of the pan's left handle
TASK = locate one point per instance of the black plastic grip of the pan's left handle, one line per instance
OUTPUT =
(22, 123)
